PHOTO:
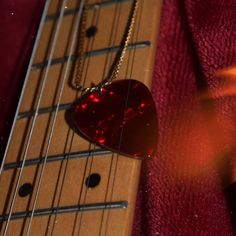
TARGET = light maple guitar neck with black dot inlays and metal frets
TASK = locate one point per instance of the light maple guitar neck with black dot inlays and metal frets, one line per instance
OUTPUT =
(53, 181)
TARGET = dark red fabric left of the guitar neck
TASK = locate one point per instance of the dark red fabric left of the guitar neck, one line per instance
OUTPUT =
(18, 23)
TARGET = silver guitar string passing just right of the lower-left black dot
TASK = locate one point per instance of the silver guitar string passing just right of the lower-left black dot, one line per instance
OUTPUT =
(65, 76)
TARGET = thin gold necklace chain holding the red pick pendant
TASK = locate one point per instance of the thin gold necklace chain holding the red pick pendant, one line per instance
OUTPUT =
(120, 59)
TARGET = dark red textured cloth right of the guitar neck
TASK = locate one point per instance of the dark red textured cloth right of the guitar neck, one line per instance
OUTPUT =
(182, 191)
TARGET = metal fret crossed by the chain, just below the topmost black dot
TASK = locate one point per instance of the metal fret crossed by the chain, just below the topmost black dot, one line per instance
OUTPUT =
(98, 52)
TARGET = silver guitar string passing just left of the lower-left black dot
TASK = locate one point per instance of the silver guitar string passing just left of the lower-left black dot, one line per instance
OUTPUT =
(55, 35)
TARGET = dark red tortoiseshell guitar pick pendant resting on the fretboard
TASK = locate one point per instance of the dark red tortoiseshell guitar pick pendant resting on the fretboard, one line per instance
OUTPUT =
(121, 117)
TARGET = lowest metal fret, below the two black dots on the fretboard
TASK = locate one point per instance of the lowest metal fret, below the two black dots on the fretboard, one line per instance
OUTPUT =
(67, 209)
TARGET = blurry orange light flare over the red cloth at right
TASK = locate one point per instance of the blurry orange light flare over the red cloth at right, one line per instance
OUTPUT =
(208, 138)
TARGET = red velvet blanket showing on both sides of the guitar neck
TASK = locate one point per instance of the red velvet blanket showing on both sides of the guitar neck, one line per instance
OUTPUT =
(188, 189)
